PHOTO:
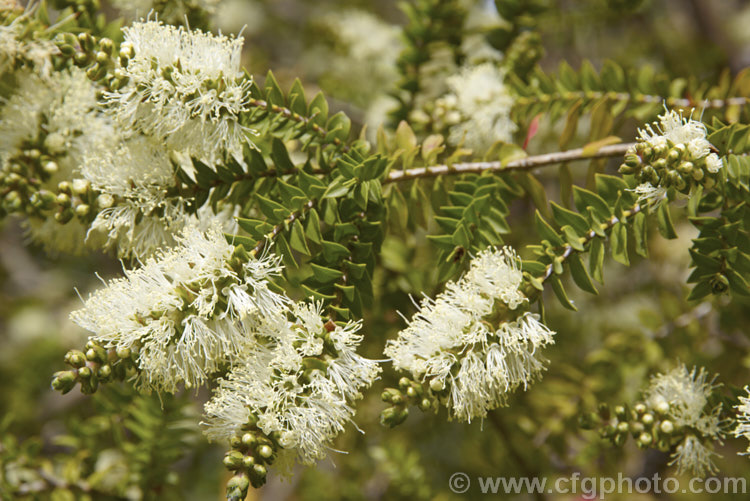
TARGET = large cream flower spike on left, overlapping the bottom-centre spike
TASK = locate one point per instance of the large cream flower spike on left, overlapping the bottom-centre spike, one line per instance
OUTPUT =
(186, 312)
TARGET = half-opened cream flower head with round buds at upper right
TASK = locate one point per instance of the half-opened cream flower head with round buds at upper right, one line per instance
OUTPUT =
(674, 153)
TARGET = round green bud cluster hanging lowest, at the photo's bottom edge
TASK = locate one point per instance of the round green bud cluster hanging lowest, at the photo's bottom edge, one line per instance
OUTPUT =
(250, 455)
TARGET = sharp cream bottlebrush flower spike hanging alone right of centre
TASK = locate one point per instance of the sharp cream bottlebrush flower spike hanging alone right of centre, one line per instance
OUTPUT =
(471, 344)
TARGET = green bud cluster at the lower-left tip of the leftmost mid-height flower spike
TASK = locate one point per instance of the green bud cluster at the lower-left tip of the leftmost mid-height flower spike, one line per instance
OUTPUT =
(94, 366)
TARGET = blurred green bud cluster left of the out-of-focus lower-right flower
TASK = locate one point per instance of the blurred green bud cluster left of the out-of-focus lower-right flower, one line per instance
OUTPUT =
(650, 427)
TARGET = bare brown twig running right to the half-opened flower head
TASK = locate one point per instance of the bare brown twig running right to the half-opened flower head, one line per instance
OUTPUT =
(526, 163)
